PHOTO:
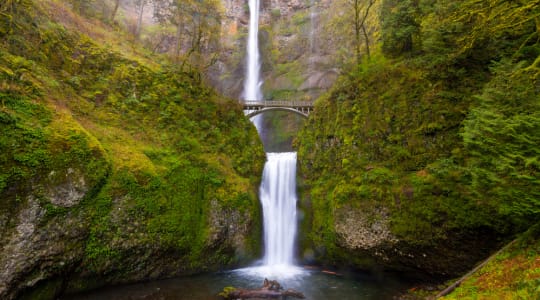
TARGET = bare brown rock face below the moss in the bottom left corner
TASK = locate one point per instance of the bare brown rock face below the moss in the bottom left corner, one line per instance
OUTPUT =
(38, 248)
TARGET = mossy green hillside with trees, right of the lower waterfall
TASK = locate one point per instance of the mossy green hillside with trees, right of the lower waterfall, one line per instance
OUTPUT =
(424, 158)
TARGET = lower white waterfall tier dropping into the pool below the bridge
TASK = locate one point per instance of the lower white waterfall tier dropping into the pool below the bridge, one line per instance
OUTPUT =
(278, 198)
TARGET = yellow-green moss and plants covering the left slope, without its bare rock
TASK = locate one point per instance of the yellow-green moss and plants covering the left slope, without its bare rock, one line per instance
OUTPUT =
(157, 150)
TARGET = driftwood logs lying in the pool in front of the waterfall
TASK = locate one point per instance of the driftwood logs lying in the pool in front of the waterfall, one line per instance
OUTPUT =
(271, 289)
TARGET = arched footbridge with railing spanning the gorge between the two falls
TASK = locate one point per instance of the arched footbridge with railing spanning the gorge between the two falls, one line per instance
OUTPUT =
(253, 108)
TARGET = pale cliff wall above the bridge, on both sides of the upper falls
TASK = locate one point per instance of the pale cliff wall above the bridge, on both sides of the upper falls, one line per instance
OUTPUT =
(298, 57)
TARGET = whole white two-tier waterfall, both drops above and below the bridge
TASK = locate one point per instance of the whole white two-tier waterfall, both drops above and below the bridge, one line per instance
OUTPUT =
(278, 187)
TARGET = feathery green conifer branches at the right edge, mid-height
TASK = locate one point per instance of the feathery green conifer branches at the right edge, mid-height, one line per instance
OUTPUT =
(502, 137)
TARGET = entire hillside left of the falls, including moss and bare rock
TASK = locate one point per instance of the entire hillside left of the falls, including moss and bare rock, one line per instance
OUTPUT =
(117, 166)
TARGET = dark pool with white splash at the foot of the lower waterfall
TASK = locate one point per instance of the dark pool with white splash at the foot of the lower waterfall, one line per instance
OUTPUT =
(315, 284)
